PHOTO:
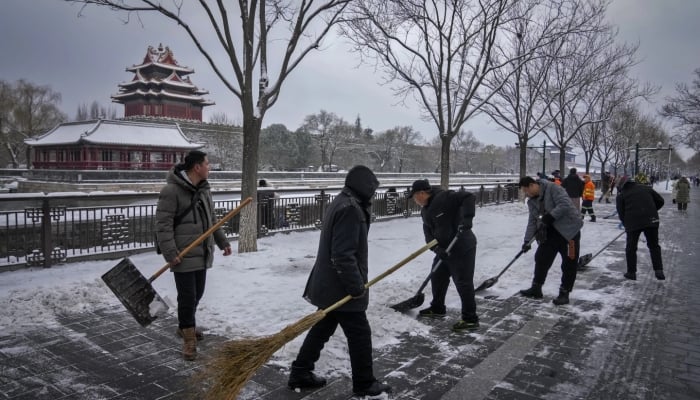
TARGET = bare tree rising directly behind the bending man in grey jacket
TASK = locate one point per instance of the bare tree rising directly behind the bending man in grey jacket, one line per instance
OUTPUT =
(519, 106)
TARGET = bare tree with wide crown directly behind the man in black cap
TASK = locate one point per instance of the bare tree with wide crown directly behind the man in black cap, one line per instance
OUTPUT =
(439, 52)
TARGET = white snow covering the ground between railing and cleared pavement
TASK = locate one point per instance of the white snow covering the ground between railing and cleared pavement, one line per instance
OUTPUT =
(255, 294)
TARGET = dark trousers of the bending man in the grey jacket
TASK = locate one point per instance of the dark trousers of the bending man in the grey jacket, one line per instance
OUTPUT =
(547, 252)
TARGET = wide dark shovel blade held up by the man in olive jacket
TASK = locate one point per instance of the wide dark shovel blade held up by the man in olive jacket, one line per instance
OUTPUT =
(135, 292)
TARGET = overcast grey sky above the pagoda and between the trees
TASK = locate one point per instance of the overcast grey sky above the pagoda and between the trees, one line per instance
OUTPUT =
(44, 42)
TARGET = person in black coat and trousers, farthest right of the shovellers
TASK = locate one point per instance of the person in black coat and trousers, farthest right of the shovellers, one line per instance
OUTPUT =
(637, 206)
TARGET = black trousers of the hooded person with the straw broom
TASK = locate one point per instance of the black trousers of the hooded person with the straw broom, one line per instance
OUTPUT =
(359, 337)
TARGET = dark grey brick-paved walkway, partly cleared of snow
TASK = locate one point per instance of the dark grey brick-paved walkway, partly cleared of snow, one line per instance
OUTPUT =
(647, 347)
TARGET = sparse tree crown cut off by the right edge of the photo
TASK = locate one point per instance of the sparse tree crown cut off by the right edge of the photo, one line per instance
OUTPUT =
(685, 110)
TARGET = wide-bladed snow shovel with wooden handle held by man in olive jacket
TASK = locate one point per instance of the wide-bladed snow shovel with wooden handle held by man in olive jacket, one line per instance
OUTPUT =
(136, 292)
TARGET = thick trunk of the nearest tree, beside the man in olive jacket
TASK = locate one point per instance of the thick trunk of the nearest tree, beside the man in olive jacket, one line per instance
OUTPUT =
(248, 227)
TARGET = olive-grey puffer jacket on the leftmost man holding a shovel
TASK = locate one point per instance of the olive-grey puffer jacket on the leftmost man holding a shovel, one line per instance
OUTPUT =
(173, 236)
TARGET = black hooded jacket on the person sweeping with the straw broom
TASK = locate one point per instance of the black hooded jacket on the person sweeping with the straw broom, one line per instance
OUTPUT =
(341, 266)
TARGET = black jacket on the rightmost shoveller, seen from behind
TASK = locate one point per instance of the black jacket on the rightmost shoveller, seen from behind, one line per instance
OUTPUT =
(638, 206)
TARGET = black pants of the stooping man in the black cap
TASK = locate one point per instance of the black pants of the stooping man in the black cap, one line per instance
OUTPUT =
(460, 266)
